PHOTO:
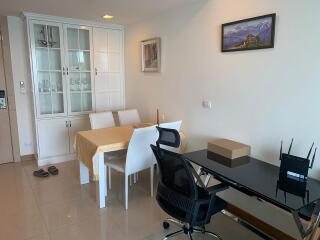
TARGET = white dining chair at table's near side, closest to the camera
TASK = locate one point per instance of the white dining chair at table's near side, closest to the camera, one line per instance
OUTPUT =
(139, 157)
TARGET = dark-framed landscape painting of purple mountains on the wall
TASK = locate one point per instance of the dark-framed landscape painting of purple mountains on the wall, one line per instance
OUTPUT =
(249, 34)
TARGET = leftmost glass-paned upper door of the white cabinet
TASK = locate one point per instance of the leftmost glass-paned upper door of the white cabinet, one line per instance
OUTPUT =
(46, 44)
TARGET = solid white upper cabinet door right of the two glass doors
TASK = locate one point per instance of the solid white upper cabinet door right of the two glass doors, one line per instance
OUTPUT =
(107, 45)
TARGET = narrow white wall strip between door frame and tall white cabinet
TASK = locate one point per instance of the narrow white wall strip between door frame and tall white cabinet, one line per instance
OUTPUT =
(21, 72)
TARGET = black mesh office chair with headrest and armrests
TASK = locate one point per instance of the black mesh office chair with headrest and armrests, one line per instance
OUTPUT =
(179, 193)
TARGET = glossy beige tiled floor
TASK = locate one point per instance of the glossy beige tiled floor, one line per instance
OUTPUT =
(59, 208)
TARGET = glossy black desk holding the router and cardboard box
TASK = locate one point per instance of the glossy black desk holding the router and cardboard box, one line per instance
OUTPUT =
(260, 179)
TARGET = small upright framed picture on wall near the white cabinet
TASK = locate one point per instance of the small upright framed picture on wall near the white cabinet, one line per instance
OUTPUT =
(151, 55)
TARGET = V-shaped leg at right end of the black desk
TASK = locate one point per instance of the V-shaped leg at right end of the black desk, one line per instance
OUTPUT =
(310, 232)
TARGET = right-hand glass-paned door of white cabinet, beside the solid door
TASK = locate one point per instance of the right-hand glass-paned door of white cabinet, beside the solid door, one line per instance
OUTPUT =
(79, 69)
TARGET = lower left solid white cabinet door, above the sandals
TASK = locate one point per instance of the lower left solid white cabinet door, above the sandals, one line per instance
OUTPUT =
(53, 137)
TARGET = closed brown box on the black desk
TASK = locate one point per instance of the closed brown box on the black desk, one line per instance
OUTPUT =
(228, 148)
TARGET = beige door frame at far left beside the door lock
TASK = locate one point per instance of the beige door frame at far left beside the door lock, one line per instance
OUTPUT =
(6, 60)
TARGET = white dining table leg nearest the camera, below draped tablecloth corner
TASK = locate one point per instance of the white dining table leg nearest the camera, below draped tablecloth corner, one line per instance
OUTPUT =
(101, 191)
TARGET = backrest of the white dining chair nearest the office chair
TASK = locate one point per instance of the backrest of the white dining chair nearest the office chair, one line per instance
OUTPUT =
(139, 154)
